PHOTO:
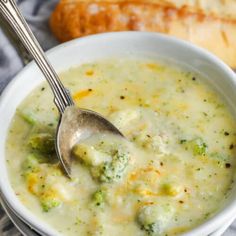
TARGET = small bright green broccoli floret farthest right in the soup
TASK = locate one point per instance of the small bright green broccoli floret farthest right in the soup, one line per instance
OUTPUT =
(197, 146)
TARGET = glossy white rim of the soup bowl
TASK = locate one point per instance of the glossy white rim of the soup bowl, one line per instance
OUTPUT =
(27, 216)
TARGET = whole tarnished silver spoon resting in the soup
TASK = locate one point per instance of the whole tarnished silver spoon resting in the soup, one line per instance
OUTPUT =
(75, 124)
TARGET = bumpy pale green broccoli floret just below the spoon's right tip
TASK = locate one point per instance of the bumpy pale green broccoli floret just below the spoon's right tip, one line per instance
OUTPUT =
(113, 171)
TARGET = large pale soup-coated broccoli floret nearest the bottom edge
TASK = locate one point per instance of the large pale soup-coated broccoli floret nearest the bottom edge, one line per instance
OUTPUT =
(155, 218)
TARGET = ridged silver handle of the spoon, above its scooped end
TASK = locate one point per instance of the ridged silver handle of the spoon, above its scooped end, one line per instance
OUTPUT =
(11, 13)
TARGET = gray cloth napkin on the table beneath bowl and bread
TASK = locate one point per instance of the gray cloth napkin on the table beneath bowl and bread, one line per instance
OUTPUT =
(36, 13)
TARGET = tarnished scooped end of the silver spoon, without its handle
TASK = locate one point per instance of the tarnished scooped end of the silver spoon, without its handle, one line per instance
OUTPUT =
(75, 126)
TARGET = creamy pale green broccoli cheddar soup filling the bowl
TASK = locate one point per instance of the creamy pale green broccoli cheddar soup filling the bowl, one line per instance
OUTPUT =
(173, 171)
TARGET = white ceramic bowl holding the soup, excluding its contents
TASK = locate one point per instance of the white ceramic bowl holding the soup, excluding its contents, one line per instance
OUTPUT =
(124, 44)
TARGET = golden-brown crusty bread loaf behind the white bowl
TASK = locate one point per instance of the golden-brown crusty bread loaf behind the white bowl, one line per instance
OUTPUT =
(207, 23)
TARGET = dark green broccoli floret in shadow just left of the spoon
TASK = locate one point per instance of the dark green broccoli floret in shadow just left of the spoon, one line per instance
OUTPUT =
(42, 142)
